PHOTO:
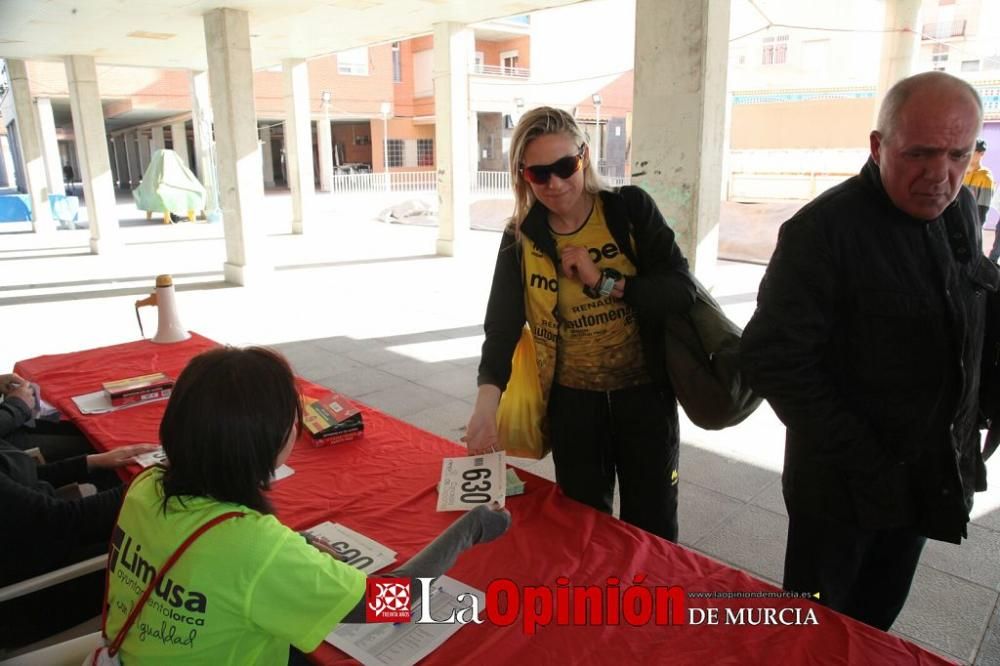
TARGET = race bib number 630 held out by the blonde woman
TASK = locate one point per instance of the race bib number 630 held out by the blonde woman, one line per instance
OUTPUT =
(468, 481)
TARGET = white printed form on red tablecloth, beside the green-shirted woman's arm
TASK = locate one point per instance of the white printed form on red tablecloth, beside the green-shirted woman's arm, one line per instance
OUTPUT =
(386, 643)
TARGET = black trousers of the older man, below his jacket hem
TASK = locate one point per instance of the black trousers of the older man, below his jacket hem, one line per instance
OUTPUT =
(864, 574)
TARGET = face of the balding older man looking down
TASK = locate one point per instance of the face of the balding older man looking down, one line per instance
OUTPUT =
(923, 160)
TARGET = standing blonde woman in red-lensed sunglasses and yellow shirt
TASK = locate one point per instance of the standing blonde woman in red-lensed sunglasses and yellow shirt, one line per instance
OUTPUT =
(594, 272)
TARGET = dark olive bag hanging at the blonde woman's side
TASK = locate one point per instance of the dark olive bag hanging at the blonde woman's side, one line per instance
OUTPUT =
(703, 362)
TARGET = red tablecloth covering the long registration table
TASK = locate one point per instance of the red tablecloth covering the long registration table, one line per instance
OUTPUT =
(383, 485)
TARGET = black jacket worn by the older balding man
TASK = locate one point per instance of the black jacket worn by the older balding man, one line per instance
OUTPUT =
(867, 342)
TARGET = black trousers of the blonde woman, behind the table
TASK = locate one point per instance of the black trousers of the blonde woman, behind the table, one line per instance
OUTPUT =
(630, 434)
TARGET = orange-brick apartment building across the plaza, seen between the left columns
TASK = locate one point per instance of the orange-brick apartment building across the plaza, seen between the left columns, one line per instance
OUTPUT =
(371, 108)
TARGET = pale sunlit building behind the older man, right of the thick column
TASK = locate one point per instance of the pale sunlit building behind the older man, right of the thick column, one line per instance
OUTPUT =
(803, 80)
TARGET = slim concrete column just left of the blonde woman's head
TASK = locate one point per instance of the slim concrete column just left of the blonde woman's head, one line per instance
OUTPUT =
(453, 51)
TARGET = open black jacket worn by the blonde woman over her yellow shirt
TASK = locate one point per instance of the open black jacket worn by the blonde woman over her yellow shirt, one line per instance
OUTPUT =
(662, 286)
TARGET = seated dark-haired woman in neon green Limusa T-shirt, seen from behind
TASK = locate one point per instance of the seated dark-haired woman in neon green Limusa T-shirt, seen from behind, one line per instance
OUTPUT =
(250, 587)
